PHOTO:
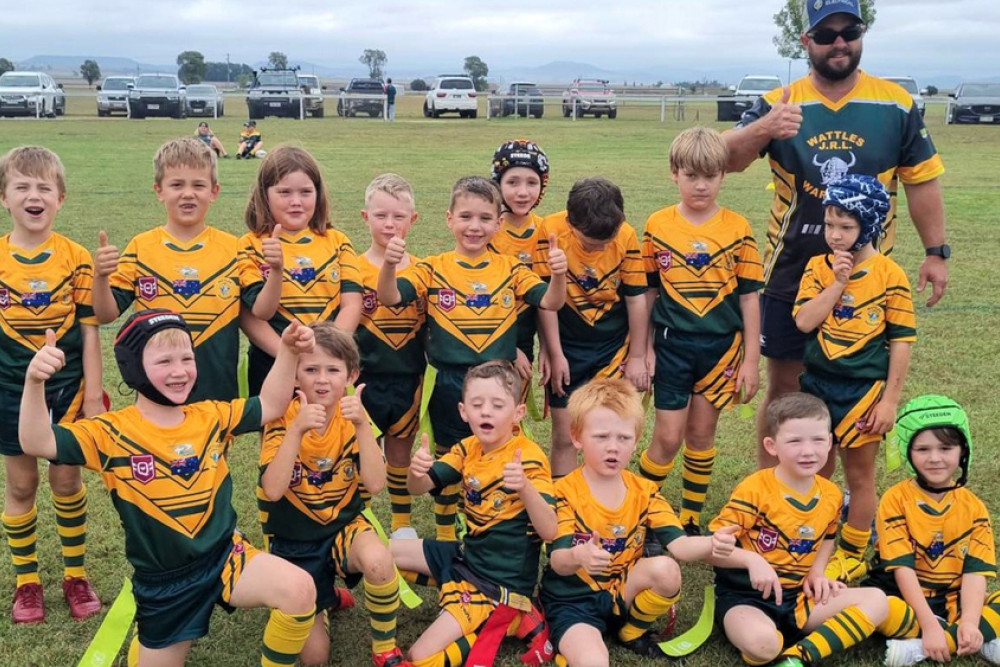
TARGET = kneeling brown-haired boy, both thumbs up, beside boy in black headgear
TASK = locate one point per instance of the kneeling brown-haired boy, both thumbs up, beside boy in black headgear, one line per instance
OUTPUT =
(312, 465)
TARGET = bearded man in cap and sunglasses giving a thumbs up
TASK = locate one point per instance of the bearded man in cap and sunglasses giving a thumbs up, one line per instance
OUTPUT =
(835, 120)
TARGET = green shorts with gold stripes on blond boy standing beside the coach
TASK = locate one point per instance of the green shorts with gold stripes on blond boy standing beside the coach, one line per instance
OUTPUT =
(695, 363)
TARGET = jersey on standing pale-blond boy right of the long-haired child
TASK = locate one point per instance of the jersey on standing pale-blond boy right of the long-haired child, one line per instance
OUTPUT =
(391, 339)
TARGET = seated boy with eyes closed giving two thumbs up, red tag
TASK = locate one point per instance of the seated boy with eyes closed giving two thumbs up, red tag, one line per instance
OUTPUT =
(486, 580)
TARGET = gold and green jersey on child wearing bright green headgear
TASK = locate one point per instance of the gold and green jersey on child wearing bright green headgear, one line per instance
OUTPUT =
(939, 539)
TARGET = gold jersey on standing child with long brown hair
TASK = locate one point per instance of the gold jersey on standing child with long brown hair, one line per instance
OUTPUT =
(318, 269)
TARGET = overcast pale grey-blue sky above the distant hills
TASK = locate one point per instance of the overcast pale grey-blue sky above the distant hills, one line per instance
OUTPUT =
(676, 38)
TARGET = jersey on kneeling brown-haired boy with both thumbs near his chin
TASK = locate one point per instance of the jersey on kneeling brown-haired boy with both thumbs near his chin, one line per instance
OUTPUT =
(323, 494)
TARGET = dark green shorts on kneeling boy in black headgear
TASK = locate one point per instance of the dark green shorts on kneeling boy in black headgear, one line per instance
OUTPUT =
(176, 606)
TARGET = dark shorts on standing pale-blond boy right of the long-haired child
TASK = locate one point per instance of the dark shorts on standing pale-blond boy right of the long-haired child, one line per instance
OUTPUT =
(393, 402)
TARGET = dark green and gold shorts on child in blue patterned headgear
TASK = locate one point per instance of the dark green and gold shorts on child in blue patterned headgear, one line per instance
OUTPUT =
(849, 402)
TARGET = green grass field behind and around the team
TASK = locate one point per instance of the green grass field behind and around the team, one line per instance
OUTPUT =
(109, 169)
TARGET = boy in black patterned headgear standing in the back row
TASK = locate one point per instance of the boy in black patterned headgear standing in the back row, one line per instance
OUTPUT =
(521, 169)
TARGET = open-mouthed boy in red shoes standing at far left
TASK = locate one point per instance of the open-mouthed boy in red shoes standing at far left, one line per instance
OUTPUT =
(45, 282)
